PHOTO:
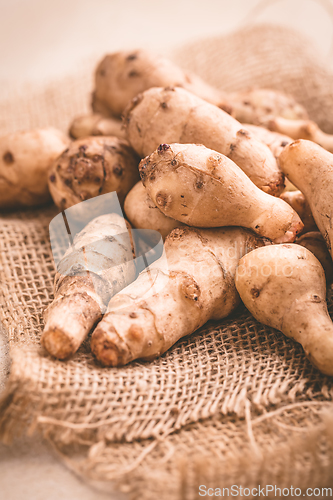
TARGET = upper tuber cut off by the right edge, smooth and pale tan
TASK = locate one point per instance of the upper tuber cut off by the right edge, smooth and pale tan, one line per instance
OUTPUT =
(310, 168)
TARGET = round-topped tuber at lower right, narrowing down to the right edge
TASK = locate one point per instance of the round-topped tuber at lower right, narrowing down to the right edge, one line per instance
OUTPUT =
(284, 287)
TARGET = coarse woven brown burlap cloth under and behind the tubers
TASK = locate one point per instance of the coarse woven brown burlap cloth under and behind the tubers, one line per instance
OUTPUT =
(235, 403)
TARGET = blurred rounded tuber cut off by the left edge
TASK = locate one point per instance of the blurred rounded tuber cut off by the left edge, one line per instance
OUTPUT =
(25, 158)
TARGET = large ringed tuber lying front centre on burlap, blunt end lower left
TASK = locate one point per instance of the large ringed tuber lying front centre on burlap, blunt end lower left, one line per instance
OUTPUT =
(174, 296)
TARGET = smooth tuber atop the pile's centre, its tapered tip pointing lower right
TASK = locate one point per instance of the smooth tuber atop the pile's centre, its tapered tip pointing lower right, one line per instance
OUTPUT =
(203, 188)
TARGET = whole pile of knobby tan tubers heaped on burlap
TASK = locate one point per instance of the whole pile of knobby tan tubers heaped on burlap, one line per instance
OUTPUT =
(206, 170)
